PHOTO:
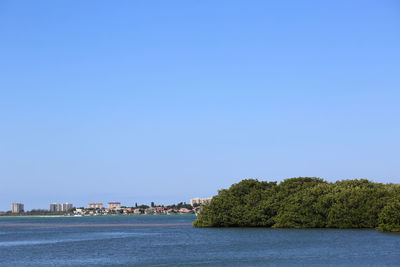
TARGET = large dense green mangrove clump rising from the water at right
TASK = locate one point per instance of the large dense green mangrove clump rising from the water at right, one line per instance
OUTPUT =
(305, 203)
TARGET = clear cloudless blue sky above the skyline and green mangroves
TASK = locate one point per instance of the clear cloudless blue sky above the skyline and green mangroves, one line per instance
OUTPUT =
(135, 101)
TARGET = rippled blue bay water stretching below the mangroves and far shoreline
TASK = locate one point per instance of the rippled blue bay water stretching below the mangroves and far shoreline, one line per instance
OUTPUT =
(171, 241)
